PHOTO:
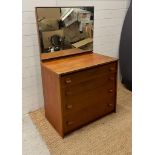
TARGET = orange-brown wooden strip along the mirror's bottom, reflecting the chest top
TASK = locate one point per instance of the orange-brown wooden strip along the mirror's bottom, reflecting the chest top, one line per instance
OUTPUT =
(63, 53)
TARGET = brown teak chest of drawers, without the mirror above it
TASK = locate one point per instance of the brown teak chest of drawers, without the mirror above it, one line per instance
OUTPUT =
(78, 89)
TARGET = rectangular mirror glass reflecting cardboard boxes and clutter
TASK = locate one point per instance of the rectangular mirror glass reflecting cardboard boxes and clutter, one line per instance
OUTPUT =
(61, 28)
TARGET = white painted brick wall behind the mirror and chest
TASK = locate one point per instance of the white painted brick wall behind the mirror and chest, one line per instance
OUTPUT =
(109, 17)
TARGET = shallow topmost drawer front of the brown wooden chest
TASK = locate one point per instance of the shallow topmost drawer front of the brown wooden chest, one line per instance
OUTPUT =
(87, 74)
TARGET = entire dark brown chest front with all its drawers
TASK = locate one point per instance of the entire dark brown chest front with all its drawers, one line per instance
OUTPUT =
(88, 96)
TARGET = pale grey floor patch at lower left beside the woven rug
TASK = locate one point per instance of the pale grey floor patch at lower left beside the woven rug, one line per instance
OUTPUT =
(32, 141)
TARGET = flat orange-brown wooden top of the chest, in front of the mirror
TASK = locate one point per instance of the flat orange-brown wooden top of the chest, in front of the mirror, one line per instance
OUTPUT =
(77, 62)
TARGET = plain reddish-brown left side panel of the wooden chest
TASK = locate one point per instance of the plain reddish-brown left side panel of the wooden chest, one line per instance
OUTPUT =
(52, 102)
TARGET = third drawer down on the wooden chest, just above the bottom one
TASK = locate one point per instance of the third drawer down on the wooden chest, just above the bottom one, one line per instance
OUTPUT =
(75, 100)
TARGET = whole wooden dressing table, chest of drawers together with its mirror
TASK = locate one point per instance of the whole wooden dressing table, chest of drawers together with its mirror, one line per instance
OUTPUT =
(79, 86)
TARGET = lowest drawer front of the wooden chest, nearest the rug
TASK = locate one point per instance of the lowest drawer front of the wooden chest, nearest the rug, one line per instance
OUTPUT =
(78, 119)
